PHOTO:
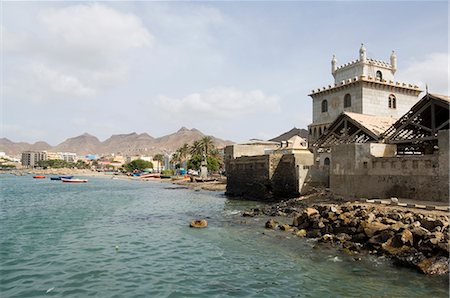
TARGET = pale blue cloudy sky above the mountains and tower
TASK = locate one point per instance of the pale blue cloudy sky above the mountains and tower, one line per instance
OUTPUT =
(232, 69)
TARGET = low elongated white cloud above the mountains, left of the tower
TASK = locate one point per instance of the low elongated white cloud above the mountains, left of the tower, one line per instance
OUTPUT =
(220, 103)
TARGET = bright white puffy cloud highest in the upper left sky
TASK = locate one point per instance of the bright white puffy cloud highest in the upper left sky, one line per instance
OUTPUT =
(95, 29)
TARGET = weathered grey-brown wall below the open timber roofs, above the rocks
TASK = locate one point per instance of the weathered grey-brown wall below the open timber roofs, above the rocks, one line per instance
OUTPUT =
(355, 172)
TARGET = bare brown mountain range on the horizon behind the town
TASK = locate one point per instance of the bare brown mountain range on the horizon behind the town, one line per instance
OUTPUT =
(125, 144)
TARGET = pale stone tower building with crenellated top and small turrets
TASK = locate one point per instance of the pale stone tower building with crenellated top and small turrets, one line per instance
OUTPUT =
(364, 86)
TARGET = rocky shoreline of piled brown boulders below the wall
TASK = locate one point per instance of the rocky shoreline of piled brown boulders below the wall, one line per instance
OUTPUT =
(411, 238)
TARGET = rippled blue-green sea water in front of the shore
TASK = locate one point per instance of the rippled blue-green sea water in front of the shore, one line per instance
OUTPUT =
(124, 238)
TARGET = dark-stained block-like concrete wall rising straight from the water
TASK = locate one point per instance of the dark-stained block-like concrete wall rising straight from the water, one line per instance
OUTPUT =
(268, 176)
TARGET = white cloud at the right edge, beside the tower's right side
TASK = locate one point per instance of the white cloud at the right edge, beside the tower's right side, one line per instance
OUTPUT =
(432, 71)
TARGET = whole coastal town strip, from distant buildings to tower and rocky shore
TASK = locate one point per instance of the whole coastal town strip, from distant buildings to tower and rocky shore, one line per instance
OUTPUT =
(370, 174)
